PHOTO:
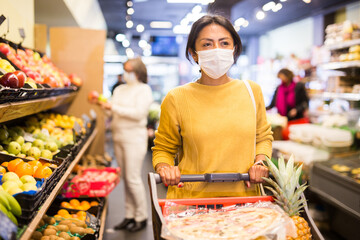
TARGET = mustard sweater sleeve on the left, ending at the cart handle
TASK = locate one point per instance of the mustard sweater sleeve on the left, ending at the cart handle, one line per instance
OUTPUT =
(167, 137)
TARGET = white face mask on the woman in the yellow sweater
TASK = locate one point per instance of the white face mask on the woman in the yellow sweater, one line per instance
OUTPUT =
(216, 62)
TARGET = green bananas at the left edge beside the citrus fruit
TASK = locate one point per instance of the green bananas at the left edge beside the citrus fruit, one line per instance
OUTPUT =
(9, 206)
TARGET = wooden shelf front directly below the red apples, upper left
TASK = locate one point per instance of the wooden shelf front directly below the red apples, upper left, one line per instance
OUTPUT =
(10, 111)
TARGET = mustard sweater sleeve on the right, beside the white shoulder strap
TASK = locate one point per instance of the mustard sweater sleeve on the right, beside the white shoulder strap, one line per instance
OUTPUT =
(264, 135)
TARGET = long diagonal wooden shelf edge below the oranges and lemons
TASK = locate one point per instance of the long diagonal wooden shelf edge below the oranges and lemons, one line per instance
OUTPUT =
(35, 222)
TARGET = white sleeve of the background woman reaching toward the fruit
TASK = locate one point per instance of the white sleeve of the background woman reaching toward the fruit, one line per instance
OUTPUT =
(141, 108)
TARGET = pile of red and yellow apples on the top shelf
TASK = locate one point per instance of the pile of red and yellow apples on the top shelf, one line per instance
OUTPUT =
(38, 68)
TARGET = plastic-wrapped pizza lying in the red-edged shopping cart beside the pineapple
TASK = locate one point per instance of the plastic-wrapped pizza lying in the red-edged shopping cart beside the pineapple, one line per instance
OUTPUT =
(261, 220)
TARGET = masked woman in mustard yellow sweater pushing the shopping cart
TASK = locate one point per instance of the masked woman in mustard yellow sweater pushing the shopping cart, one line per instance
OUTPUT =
(212, 122)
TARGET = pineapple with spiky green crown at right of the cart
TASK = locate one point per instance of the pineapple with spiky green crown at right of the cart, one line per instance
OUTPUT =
(287, 195)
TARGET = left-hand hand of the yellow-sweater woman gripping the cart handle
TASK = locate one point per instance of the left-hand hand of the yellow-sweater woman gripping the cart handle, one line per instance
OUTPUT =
(170, 175)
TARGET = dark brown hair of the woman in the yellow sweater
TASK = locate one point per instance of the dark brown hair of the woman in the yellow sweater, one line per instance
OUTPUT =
(212, 19)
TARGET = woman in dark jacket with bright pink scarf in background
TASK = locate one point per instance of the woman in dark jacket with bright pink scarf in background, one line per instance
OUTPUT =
(290, 98)
